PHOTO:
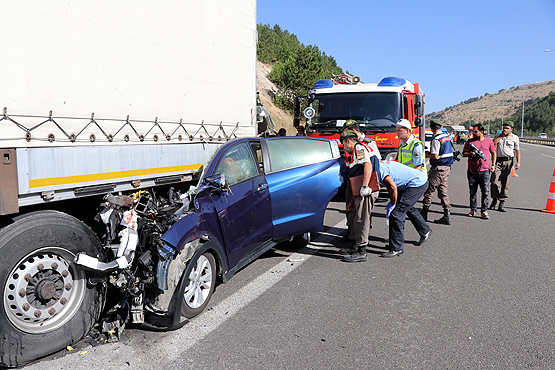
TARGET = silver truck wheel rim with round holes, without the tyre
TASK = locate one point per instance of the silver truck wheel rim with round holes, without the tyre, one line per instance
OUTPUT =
(43, 291)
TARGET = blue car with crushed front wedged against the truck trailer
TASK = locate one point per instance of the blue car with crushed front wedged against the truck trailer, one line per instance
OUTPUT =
(254, 193)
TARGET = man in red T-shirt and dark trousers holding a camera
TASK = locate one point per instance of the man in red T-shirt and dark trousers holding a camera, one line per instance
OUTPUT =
(478, 150)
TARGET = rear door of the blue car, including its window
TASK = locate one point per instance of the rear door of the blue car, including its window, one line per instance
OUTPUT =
(303, 177)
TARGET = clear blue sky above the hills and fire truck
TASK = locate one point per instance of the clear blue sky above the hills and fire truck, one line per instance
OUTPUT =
(454, 49)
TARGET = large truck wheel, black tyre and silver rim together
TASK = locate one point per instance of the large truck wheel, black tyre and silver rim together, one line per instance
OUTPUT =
(46, 301)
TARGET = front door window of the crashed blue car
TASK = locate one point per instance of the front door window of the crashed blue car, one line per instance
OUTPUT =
(237, 164)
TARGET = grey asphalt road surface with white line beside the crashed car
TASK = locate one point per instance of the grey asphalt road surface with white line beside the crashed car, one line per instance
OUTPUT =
(479, 294)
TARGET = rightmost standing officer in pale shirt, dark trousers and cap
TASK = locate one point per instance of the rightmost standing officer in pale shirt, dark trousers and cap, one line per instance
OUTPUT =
(507, 149)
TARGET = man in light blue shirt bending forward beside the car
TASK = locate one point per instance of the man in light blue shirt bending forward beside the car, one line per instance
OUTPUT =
(405, 186)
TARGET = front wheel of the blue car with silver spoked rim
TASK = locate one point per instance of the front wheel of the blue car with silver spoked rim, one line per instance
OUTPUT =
(200, 280)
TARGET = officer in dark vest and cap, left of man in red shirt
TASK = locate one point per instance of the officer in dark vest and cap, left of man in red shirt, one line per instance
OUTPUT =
(441, 159)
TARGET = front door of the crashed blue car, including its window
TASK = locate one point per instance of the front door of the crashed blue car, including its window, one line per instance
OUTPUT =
(244, 212)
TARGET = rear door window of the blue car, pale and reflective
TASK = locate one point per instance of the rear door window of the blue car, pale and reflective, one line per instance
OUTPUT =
(289, 153)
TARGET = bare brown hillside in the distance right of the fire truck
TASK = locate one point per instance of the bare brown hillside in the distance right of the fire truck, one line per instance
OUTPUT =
(491, 106)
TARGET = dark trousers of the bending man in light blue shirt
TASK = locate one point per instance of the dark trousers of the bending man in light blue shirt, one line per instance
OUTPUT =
(406, 199)
